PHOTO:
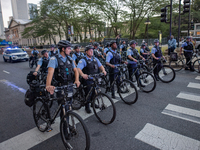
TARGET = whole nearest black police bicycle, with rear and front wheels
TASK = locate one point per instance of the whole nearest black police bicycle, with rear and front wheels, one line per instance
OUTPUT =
(73, 130)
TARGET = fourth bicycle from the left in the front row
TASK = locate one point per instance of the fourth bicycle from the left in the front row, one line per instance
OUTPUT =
(145, 79)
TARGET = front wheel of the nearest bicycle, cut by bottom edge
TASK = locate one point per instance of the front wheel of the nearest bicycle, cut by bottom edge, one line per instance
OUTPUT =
(74, 132)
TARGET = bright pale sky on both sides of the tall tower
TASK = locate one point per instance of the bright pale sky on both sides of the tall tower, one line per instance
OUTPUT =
(6, 8)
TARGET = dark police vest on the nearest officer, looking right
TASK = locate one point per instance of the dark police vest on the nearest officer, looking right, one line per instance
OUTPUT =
(64, 74)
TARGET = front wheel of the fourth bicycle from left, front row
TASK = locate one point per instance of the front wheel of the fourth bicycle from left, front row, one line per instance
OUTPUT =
(146, 82)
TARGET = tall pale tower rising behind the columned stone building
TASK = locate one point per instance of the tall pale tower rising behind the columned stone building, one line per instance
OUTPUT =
(20, 9)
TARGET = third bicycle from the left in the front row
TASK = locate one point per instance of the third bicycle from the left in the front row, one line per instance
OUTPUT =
(125, 88)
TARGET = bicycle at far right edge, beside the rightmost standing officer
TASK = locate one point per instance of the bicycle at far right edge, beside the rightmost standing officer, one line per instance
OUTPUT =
(181, 63)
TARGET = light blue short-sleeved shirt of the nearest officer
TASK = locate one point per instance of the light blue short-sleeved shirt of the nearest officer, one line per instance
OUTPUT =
(53, 62)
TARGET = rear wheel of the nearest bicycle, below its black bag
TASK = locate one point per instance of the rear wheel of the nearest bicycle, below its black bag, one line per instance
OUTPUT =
(40, 116)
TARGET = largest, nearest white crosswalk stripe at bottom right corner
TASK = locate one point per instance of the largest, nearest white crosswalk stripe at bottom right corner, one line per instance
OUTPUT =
(165, 139)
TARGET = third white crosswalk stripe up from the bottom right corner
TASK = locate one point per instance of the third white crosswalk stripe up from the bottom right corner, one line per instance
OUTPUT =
(189, 96)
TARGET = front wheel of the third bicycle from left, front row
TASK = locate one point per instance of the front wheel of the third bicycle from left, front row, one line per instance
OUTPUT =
(128, 92)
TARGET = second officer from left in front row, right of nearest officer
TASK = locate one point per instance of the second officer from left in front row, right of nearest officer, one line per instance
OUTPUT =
(87, 66)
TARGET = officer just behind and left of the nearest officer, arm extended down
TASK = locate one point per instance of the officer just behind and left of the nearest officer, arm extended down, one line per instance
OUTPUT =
(42, 63)
